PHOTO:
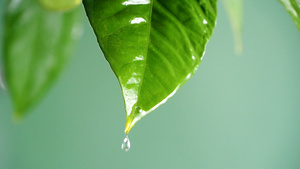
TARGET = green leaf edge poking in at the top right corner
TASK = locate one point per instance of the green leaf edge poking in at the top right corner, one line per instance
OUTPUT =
(293, 7)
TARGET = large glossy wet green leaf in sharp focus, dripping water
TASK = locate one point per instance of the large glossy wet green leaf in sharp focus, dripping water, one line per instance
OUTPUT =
(153, 46)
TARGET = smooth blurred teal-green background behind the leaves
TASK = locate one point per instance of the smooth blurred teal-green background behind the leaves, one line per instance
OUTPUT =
(236, 112)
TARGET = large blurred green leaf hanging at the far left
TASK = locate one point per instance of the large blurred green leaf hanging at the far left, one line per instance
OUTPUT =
(37, 45)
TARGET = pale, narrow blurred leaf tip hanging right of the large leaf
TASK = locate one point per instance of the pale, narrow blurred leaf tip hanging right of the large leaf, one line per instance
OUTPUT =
(234, 9)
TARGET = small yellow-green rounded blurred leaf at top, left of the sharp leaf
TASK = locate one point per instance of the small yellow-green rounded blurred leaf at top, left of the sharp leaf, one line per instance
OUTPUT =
(60, 5)
